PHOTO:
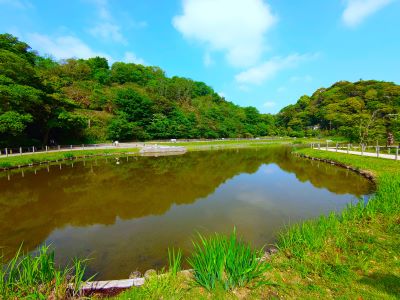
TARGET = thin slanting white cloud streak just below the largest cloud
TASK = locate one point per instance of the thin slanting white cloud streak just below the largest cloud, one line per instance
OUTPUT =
(268, 69)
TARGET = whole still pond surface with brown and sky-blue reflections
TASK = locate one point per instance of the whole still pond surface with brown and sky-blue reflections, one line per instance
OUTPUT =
(125, 216)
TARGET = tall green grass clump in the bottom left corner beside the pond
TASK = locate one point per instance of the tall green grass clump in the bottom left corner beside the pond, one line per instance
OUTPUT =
(37, 277)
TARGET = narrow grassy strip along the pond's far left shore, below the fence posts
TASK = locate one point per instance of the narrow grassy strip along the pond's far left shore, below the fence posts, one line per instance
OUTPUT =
(40, 157)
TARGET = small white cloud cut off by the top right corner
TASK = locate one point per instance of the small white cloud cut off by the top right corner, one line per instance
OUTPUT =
(358, 10)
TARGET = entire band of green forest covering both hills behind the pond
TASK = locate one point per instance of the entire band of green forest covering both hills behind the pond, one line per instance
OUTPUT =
(44, 101)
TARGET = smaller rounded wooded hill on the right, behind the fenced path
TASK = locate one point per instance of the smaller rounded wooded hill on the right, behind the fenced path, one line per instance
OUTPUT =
(364, 111)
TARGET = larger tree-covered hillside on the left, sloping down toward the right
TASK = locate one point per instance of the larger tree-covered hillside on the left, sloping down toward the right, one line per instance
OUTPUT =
(45, 101)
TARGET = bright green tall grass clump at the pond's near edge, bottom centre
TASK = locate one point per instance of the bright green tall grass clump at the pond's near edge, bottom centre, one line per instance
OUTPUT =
(226, 261)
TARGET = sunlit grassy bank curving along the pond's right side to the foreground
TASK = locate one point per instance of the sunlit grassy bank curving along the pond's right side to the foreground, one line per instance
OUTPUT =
(352, 255)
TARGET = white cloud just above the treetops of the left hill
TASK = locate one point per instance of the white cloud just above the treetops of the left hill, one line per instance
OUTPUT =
(62, 47)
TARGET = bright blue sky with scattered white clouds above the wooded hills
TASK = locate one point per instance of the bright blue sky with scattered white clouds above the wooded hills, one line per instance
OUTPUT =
(262, 53)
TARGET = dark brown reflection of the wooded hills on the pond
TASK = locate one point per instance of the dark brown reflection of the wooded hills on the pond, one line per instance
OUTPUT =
(99, 192)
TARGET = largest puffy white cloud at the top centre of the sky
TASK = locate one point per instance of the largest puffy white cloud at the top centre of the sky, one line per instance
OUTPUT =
(236, 27)
